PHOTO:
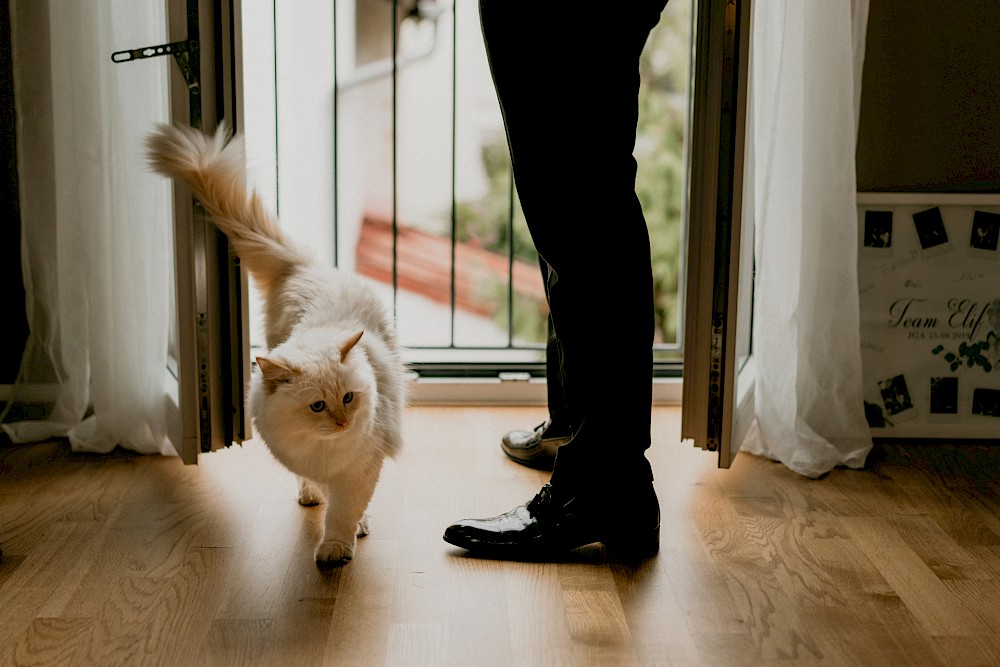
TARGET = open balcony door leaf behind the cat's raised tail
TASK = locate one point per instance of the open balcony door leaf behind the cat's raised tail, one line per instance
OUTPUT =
(209, 360)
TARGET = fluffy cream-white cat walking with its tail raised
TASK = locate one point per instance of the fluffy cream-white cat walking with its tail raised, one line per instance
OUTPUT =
(329, 394)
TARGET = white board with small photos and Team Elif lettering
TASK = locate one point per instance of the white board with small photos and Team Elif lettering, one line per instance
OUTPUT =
(929, 285)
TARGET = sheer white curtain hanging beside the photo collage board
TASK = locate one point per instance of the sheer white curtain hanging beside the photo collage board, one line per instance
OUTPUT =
(806, 87)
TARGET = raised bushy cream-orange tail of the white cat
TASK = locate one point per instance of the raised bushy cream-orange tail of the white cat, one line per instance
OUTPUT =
(214, 167)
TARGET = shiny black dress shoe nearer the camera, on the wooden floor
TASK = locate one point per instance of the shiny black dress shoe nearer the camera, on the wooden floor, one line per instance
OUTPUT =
(552, 524)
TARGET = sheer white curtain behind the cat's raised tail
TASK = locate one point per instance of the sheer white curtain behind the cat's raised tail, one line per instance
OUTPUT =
(96, 239)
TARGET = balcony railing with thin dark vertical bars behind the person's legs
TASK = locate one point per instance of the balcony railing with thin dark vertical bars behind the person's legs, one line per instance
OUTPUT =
(426, 206)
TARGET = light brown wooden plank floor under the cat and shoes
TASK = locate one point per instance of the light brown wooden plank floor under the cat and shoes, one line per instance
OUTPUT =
(129, 560)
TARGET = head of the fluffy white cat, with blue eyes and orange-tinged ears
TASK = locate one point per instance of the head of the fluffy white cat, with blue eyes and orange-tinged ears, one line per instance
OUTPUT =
(312, 388)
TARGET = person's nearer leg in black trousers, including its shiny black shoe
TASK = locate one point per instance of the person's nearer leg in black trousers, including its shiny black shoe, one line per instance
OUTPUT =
(567, 82)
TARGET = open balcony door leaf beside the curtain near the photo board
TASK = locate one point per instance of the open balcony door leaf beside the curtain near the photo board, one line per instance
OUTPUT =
(717, 399)
